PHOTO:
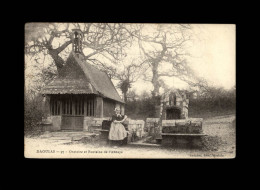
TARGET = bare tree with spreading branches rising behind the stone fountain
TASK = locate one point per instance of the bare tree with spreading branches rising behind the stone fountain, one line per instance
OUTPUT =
(167, 44)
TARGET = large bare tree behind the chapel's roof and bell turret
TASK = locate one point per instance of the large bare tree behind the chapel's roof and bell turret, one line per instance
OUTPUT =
(103, 43)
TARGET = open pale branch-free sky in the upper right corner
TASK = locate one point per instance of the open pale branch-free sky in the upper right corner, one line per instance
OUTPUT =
(217, 50)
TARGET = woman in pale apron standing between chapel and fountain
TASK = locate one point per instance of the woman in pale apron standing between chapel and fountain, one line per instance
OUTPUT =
(117, 132)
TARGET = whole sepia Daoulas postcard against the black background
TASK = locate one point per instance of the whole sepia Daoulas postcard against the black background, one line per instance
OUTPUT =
(129, 90)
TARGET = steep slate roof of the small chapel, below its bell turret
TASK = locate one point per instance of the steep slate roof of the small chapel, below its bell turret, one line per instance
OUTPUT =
(79, 77)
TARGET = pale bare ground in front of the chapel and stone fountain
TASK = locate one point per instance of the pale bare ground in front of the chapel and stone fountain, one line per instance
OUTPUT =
(220, 143)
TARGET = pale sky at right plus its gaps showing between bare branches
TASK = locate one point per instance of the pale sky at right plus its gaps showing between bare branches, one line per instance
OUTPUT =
(213, 57)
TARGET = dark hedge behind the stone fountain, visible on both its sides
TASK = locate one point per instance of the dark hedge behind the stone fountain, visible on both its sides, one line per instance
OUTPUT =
(215, 101)
